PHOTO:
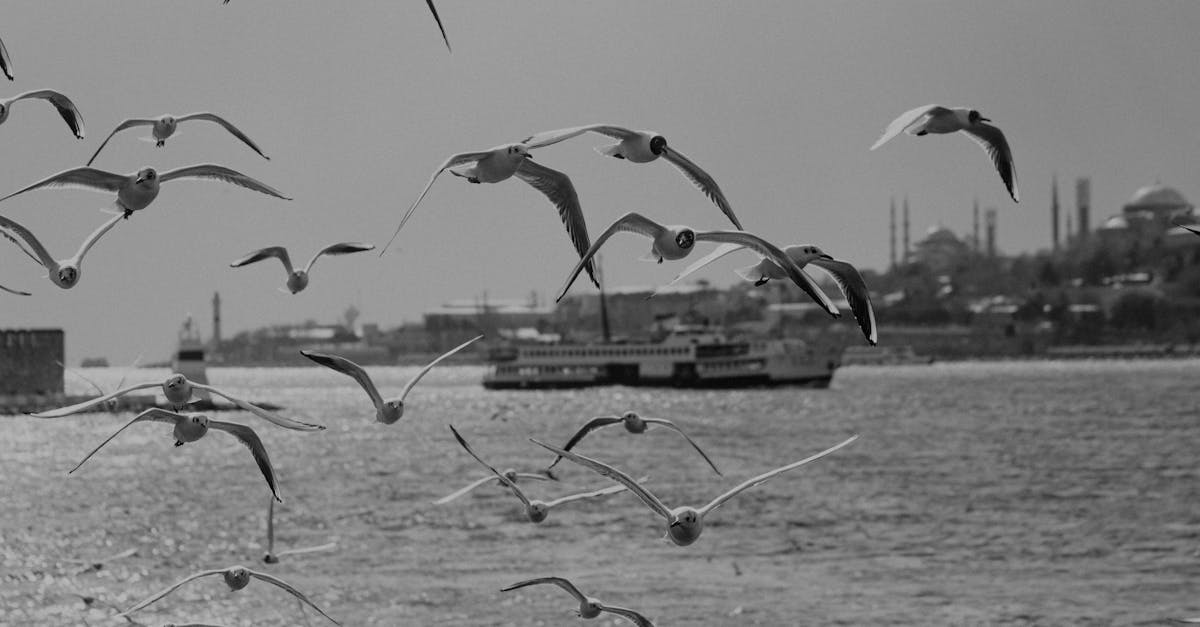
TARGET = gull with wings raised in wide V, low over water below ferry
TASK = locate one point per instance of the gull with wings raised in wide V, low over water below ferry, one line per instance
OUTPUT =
(685, 523)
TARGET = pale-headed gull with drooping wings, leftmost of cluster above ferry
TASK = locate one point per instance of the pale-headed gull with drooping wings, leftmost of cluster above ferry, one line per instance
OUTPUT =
(514, 160)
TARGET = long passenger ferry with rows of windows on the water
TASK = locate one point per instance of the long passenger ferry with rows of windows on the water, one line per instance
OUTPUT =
(688, 357)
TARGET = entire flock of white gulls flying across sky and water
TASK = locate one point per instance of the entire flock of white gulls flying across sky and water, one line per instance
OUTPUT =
(137, 190)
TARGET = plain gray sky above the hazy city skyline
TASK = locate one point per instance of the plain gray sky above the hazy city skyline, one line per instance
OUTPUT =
(358, 103)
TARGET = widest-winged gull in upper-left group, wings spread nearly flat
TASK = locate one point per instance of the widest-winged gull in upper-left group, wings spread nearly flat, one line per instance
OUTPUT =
(137, 190)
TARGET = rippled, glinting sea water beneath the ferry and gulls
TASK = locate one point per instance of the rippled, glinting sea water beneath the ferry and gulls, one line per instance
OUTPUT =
(980, 493)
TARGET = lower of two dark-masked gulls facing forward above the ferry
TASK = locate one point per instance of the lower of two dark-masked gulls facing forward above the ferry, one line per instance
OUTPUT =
(676, 242)
